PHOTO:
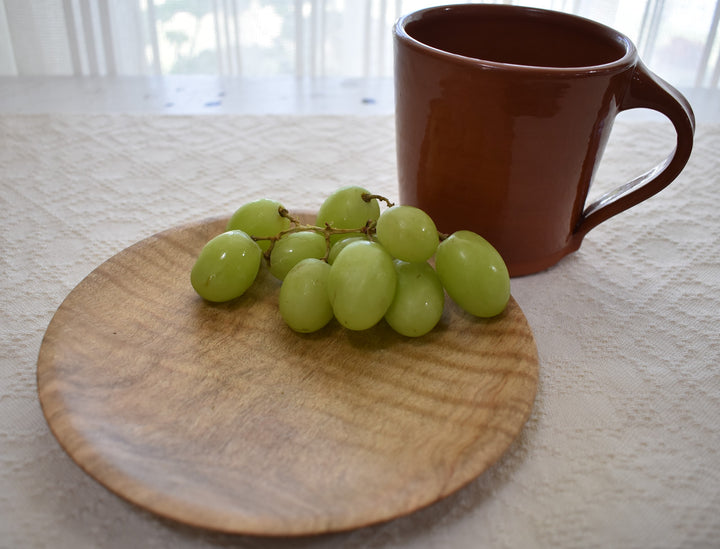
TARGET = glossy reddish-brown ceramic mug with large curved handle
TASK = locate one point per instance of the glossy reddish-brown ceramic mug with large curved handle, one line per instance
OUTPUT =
(502, 115)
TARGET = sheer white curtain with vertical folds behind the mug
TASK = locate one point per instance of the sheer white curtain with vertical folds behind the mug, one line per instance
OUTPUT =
(678, 39)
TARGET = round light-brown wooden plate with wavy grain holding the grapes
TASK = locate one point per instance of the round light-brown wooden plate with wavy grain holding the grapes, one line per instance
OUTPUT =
(221, 417)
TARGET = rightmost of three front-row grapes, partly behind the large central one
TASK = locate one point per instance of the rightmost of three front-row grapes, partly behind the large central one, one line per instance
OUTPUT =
(419, 299)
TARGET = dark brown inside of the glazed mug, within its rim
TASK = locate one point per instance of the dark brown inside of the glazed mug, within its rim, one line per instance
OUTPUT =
(516, 36)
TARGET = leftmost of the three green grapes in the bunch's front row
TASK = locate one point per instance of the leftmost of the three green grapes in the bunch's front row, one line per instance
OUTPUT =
(303, 301)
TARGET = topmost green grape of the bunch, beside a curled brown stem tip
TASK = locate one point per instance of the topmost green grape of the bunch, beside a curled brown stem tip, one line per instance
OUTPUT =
(346, 209)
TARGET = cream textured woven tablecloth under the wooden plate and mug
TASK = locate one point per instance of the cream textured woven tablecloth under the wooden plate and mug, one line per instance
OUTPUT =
(623, 445)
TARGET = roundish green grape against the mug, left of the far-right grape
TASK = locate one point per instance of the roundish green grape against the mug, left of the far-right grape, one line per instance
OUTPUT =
(407, 233)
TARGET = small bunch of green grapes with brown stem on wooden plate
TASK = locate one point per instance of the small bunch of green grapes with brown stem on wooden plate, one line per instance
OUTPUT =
(356, 264)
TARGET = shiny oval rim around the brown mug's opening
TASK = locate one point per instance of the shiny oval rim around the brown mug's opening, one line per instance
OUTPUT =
(400, 33)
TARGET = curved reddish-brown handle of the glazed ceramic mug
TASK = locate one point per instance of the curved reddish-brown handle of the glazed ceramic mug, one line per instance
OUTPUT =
(646, 90)
